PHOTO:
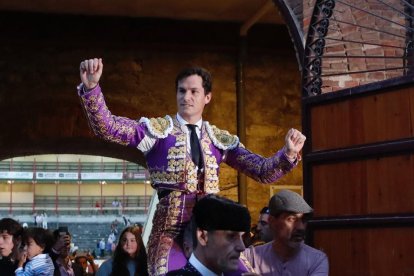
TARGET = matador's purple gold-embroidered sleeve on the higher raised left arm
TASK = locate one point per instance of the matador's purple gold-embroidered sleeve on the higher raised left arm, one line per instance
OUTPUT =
(120, 130)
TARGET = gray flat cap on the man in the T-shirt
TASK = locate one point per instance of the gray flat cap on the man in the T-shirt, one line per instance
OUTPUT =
(288, 201)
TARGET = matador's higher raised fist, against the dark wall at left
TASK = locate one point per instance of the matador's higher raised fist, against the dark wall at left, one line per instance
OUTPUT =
(91, 72)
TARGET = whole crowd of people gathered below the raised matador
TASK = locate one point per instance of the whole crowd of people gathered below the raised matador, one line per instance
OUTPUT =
(218, 240)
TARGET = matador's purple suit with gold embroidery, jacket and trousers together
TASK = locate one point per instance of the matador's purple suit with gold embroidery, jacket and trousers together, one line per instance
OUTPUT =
(171, 168)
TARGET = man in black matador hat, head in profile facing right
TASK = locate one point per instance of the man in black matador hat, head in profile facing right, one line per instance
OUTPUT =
(218, 225)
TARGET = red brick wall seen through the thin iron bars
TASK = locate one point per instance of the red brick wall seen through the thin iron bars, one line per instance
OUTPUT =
(382, 35)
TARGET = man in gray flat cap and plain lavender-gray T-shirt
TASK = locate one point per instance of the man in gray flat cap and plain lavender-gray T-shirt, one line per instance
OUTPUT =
(287, 254)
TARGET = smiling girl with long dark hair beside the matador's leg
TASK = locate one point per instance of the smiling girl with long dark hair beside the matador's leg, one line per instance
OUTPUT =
(130, 257)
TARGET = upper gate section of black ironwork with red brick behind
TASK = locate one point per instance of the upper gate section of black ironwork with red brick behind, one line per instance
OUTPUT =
(353, 43)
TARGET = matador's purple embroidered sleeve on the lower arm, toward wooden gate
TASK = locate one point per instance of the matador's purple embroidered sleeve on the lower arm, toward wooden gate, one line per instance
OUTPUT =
(261, 169)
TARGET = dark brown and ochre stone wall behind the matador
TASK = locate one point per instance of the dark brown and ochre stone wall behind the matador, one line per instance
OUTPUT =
(39, 73)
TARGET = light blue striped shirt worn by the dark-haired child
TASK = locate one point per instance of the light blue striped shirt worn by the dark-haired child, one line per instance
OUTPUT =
(41, 265)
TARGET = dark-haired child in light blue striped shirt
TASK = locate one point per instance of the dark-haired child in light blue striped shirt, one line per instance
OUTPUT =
(38, 243)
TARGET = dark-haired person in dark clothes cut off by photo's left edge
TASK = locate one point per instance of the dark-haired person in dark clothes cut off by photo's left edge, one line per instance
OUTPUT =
(10, 239)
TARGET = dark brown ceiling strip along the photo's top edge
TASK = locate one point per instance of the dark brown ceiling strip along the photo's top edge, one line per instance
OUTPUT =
(210, 10)
